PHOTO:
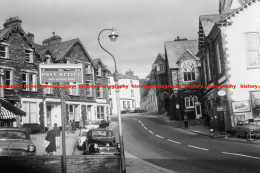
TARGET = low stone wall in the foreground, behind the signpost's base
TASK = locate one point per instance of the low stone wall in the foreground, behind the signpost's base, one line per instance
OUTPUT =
(52, 164)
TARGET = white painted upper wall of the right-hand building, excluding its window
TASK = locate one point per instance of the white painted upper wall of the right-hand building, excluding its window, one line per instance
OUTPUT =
(246, 21)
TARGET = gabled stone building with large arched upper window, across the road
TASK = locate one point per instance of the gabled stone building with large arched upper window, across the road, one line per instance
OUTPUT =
(183, 70)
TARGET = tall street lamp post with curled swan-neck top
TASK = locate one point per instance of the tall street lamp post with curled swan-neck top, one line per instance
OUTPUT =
(113, 38)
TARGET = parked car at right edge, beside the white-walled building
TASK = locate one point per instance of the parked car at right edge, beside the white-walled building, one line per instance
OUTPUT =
(244, 128)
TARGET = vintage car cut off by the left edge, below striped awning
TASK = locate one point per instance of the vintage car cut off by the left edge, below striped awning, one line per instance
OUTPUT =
(16, 142)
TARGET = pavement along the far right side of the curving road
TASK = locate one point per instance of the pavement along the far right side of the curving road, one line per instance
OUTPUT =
(197, 126)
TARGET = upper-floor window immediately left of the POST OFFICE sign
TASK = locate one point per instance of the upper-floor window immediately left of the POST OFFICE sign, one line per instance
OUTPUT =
(29, 79)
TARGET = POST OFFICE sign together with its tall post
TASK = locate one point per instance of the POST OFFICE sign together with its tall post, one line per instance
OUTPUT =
(61, 73)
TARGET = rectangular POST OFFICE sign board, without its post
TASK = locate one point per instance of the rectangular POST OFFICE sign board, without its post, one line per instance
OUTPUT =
(61, 73)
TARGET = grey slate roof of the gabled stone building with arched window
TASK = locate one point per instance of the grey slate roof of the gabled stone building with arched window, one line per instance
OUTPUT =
(175, 49)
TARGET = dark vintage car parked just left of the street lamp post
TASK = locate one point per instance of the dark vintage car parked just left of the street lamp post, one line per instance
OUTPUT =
(101, 141)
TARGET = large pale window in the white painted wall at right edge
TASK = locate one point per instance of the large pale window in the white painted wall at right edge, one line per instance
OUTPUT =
(252, 49)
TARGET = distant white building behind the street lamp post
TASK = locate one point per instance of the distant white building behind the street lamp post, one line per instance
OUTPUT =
(130, 97)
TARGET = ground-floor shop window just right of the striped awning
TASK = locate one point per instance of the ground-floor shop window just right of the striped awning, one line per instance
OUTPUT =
(31, 112)
